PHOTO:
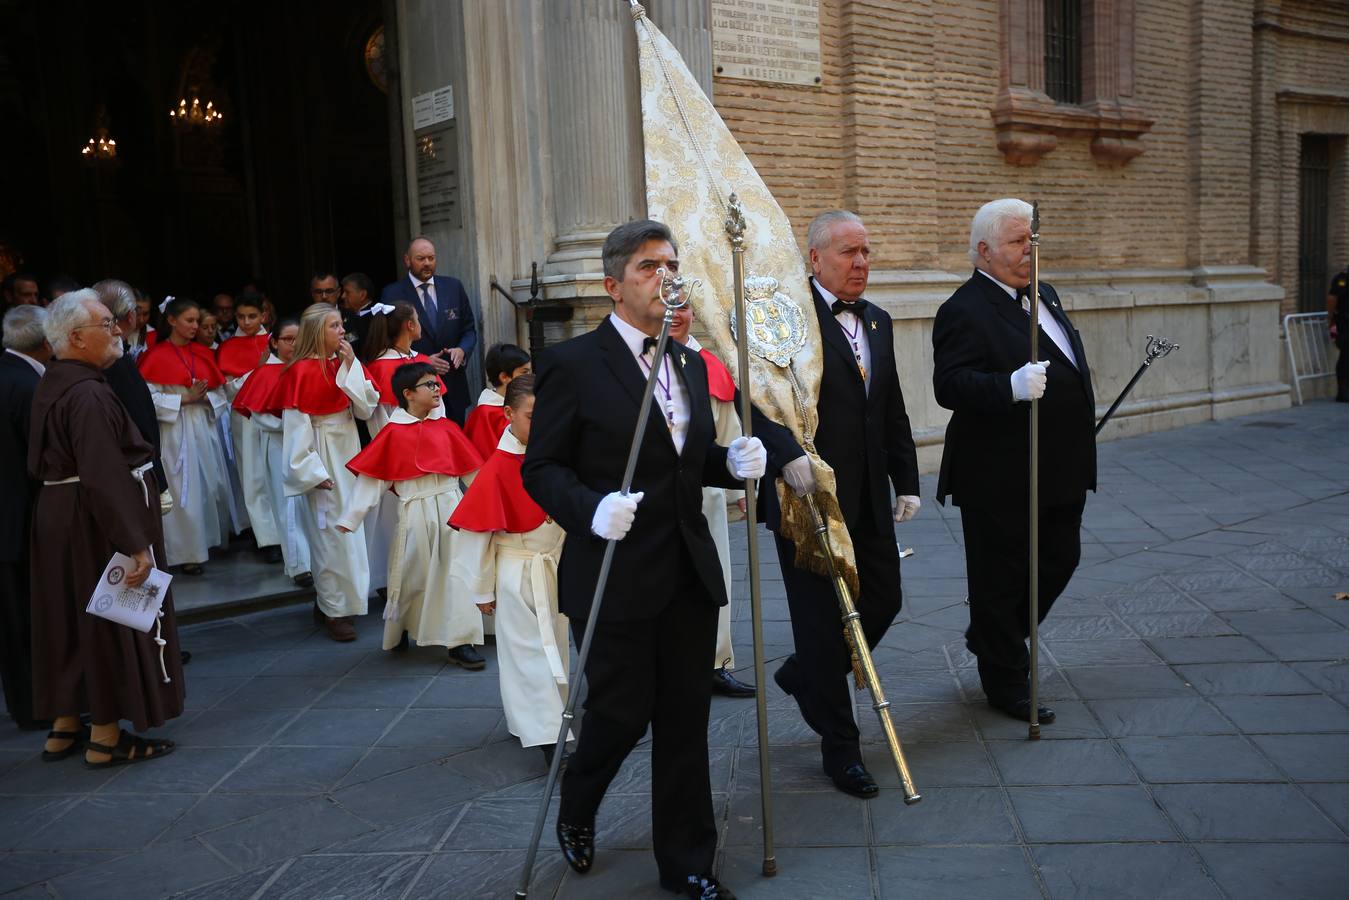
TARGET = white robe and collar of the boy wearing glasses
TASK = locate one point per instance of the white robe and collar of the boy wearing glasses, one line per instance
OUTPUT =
(422, 598)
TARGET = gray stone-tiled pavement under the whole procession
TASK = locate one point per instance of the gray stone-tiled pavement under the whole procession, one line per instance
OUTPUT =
(1199, 663)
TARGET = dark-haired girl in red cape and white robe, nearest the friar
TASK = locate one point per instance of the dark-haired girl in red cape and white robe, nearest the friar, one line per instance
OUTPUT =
(187, 391)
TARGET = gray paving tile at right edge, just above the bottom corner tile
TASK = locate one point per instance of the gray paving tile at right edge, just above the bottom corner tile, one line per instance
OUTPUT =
(1244, 813)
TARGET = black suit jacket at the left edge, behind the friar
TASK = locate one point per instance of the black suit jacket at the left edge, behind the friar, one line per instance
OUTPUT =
(18, 383)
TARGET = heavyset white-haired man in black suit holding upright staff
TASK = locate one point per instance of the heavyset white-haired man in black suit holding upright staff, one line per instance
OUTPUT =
(981, 372)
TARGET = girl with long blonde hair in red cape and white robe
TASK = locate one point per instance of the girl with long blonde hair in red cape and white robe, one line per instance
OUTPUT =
(319, 395)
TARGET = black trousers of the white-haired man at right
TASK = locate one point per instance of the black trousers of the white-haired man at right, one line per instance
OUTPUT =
(998, 561)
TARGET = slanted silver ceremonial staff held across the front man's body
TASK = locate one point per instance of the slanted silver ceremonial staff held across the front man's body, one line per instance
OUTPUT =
(672, 292)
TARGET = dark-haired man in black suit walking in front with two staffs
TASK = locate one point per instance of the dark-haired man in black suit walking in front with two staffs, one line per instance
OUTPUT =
(658, 625)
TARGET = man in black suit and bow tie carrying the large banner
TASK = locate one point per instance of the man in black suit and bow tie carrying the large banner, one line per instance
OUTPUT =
(864, 435)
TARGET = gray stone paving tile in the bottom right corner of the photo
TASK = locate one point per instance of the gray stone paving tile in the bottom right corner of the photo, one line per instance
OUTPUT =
(1262, 871)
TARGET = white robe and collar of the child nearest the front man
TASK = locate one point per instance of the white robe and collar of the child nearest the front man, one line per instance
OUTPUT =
(520, 573)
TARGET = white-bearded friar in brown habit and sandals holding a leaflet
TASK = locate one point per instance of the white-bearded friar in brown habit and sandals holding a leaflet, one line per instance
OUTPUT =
(98, 497)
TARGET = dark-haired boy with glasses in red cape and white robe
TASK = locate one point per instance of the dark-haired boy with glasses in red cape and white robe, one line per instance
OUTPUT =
(419, 459)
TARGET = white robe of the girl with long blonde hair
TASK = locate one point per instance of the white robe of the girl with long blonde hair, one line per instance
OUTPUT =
(316, 449)
